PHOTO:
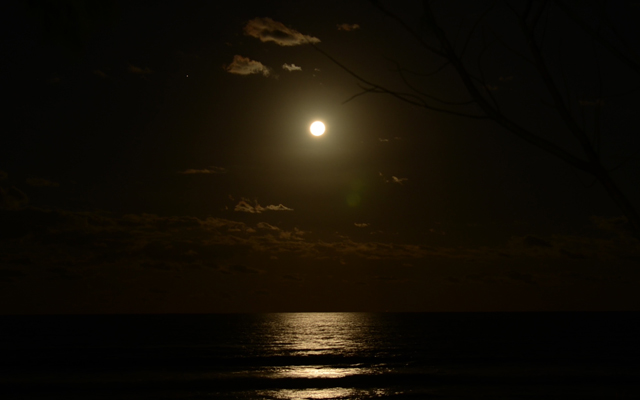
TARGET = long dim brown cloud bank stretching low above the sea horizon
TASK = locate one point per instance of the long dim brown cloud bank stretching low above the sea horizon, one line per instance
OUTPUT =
(69, 245)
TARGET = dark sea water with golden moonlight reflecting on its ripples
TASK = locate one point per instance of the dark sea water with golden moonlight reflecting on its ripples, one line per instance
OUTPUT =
(321, 356)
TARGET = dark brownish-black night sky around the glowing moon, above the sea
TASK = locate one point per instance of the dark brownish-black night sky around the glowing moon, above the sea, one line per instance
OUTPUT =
(155, 157)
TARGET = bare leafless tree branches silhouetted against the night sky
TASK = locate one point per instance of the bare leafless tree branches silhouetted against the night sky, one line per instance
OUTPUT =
(533, 19)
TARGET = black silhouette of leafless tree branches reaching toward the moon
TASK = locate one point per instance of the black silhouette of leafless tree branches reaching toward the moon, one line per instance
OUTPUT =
(566, 107)
